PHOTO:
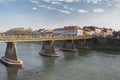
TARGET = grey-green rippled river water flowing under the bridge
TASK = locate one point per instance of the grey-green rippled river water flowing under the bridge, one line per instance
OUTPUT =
(82, 65)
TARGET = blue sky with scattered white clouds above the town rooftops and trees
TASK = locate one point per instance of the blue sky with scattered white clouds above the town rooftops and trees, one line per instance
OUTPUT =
(38, 14)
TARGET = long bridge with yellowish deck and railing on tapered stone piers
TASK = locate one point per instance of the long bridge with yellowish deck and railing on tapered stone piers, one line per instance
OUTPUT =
(11, 57)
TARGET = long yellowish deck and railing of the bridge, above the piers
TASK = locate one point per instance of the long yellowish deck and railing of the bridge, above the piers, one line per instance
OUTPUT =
(40, 38)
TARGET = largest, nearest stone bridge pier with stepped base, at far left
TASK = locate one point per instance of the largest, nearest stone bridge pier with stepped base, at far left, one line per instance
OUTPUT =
(11, 57)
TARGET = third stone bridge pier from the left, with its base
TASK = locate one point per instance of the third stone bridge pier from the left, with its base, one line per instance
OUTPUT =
(69, 45)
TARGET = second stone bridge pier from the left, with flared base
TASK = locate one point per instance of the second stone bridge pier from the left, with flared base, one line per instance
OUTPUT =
(48, 49)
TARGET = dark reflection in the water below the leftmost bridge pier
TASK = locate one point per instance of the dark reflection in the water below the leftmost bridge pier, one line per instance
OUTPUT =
(12, 73)
